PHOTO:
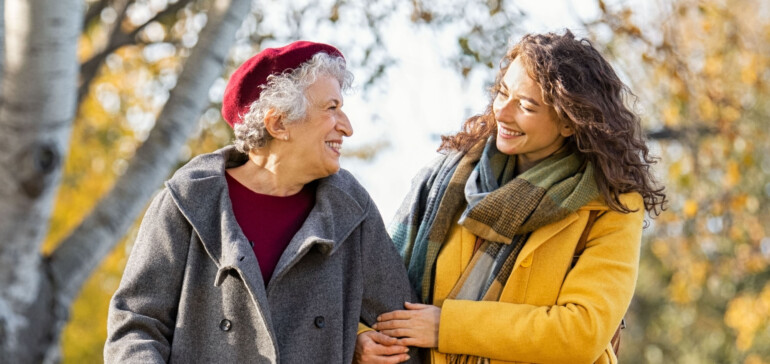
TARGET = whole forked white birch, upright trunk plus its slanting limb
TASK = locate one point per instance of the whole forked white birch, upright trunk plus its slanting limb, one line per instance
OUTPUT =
(39, 89)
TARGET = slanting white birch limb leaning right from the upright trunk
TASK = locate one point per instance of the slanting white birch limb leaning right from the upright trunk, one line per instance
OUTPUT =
(81, 252)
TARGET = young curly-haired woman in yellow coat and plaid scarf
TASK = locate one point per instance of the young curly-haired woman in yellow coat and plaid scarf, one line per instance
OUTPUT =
(523, 239)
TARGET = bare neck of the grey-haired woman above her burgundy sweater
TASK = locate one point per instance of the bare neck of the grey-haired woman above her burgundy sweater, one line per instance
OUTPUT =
(269, 174)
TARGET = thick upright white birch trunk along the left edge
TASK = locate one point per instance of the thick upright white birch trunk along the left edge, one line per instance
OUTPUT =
(36, 113)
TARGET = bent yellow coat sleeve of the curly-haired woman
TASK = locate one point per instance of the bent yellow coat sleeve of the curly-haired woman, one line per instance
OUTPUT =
(593, 299)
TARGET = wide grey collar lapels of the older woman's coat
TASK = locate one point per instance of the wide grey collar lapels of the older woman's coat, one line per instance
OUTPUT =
(200, 191)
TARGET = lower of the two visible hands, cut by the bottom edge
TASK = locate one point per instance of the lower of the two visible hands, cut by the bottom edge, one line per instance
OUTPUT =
(373, 347)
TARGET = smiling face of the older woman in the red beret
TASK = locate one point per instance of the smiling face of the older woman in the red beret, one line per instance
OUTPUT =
(317, 140)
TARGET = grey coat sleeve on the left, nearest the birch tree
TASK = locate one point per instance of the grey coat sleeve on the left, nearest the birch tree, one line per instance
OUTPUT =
(142, 313)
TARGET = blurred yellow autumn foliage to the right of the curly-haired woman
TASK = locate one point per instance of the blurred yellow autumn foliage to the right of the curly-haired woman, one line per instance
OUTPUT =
(701, 70)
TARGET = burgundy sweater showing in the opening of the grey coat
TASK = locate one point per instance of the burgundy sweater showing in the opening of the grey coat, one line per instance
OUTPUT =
(269, 222)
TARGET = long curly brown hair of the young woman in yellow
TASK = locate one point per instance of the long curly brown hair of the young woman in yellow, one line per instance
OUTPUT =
(585, 92)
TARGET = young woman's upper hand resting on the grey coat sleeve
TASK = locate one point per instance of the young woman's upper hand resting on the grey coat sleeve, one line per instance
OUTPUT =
(415, 326)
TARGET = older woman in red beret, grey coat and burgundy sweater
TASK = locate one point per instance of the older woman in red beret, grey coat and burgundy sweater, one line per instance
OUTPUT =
(264, 251)
